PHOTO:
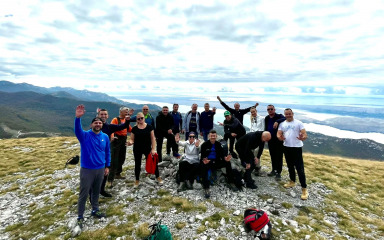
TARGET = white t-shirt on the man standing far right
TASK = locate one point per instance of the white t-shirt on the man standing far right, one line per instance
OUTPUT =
(291, 131)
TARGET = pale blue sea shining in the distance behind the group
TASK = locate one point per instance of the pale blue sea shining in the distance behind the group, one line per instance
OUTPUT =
(341, 116)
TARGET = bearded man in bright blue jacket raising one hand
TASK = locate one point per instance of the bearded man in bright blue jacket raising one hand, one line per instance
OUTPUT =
(95, 162)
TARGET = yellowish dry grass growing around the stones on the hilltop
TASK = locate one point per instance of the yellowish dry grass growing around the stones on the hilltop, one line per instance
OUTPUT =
(357, 197)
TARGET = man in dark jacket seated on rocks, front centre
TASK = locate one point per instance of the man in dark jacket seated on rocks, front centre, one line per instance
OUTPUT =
(212, 157)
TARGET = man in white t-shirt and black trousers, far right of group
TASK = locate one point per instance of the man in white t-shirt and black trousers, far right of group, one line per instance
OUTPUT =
(293, 133)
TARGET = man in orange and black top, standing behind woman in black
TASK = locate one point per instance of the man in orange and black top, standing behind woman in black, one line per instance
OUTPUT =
(118, 147)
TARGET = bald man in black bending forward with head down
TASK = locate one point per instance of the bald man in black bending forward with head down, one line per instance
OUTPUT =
(245, 146)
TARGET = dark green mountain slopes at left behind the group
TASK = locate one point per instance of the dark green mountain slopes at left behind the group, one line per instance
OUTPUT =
(36, 112)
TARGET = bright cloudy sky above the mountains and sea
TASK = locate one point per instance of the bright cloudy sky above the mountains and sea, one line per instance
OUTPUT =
(254, 46)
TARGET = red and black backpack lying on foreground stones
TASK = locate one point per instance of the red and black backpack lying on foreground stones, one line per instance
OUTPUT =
(258, 221)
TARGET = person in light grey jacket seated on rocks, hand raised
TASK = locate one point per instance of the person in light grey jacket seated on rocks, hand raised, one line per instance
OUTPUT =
(189, 167)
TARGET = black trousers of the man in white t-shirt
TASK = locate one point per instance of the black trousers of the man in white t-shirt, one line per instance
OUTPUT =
(294, 159)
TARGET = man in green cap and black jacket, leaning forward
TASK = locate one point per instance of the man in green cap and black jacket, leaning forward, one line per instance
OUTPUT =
(233, 129)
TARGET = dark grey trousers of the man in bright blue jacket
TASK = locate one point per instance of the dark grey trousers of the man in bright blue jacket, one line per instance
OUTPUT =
(90, 179)
